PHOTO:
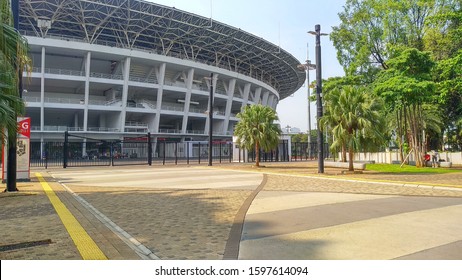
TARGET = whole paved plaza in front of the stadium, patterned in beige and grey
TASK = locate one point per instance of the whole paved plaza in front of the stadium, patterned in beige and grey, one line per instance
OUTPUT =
(232, 211)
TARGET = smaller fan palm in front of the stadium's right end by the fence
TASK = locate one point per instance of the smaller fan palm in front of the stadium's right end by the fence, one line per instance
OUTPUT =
(256, 129)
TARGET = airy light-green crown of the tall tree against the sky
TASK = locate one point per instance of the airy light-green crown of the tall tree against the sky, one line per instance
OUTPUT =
(369, 27)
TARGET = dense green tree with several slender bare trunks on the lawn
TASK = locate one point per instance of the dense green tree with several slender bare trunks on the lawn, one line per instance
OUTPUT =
(406, 86)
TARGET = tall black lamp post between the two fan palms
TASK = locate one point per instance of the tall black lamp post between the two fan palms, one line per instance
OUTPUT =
(318, 35)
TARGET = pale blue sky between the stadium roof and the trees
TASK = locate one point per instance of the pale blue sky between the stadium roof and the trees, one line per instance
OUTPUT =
(284, 23)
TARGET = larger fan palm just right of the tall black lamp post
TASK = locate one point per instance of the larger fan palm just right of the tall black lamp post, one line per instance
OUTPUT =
(354, 118)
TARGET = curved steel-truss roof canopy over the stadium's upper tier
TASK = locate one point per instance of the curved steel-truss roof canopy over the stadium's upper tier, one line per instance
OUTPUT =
(137, 24)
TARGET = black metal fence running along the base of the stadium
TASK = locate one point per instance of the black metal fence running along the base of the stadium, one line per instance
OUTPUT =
(77, 151)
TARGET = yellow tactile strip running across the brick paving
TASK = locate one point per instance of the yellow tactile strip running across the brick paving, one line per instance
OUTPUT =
(84, 243)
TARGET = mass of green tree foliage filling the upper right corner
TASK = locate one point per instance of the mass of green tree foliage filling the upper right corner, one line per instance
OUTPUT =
(394, 45)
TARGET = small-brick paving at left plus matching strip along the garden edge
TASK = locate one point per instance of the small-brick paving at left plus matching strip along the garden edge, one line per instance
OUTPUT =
(176, 224)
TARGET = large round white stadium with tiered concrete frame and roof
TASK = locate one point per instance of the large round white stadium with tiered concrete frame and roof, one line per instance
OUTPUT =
(112, 69)
